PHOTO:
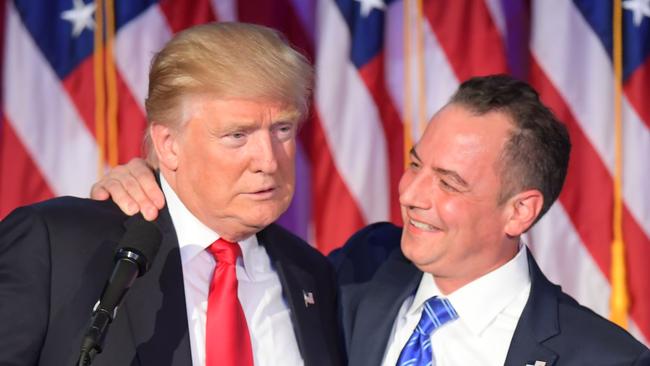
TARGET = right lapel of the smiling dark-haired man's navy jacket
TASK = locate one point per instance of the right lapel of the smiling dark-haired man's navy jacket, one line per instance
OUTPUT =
(538, 322)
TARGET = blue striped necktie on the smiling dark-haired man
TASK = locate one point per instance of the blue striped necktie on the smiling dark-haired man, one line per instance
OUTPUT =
(417, 351)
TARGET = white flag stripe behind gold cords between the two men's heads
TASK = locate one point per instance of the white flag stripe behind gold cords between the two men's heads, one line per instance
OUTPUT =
(440, 80)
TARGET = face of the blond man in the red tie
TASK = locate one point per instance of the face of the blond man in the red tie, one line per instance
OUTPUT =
(235, 168)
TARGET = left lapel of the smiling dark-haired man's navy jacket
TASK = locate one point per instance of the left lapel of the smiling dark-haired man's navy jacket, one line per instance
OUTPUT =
(392, 284)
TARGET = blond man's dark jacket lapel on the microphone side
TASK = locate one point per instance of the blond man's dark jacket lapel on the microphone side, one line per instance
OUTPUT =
(156, 306)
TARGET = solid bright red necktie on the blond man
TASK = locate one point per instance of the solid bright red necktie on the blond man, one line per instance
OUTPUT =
(227, 341)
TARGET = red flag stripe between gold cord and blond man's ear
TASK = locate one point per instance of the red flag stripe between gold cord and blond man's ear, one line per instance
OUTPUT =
(132, 123)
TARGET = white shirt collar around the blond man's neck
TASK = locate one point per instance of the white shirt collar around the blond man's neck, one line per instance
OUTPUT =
(194, 236)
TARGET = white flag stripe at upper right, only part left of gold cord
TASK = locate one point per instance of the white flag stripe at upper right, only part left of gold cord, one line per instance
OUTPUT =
(573, 58)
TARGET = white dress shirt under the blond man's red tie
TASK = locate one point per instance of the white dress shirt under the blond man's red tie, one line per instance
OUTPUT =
(259, 290)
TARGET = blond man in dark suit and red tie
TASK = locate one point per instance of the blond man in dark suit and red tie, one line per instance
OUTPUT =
(228, 287)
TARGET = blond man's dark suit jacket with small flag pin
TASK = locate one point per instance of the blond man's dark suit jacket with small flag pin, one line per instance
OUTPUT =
(56, 256)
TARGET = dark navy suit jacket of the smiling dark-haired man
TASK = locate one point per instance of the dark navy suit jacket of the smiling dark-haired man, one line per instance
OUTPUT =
(553, 327)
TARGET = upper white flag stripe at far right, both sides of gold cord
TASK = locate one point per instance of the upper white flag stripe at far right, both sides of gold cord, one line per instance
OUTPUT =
(573, 58)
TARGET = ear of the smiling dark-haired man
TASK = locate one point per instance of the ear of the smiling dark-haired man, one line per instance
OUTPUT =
(523, 211)
